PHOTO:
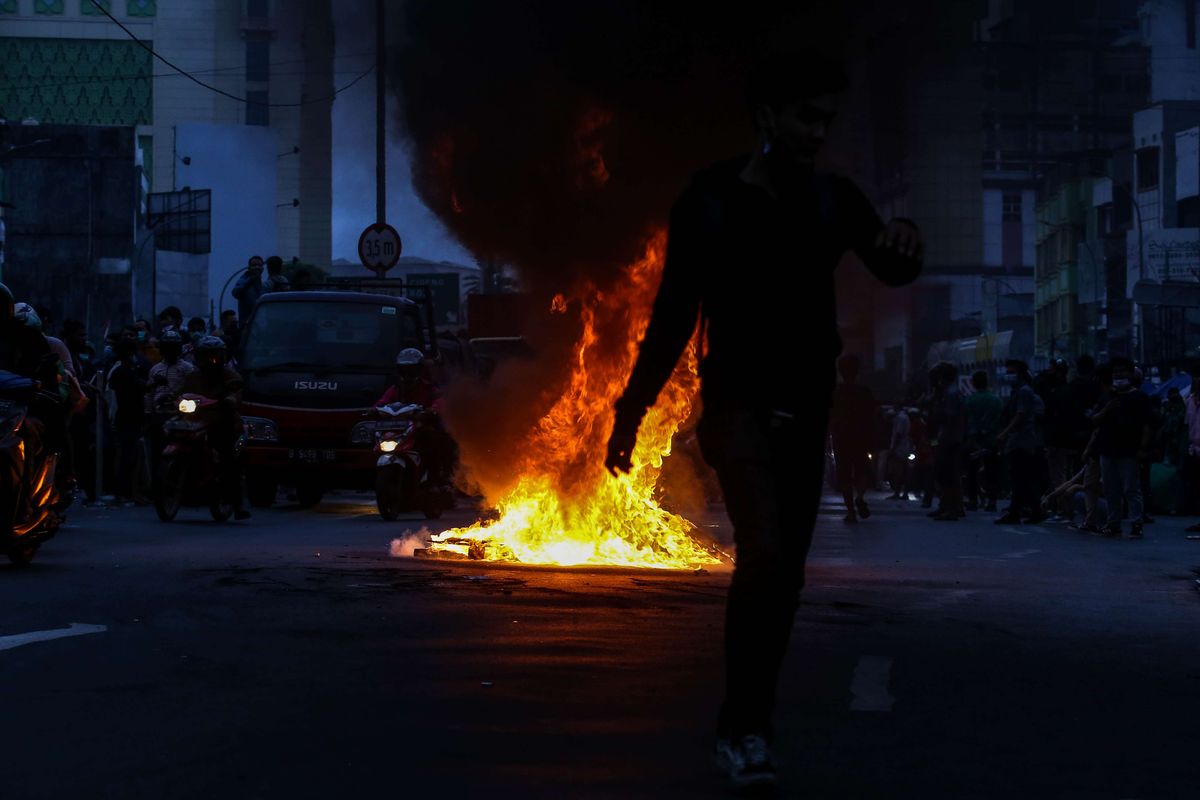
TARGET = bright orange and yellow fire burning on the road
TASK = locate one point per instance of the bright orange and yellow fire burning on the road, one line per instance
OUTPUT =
(565, 508)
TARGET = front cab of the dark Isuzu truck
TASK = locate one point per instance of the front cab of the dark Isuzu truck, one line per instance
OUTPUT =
(315, 364)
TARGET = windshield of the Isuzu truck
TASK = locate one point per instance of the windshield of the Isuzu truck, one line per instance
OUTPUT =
(322, 335)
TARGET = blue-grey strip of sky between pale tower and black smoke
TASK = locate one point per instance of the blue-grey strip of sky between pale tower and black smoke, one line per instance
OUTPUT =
(355, 155)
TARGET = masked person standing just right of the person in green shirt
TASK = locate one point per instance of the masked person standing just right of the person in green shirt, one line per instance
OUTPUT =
(1022, 442)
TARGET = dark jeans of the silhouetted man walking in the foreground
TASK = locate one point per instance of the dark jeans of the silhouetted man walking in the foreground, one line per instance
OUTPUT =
(771, 473)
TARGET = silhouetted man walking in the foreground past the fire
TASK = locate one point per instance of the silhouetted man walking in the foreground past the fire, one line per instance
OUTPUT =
(775, 214)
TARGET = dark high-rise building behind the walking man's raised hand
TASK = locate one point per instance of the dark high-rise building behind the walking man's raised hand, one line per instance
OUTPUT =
(983, 112)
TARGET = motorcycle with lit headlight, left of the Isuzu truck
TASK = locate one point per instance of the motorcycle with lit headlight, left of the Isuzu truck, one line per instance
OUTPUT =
(190, 467)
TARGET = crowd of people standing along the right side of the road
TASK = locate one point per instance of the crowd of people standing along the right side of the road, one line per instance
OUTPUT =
(1089, 446)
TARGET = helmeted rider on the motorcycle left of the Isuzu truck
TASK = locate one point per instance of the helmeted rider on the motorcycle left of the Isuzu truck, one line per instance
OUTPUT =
(215, 380)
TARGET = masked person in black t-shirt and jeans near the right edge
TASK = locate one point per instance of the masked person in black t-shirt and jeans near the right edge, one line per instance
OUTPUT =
(1124, 437)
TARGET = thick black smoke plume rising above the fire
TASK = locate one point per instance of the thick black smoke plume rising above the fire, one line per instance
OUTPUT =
(554, 136)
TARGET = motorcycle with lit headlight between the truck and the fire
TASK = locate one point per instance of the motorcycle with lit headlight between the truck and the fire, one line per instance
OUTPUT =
(403, 476)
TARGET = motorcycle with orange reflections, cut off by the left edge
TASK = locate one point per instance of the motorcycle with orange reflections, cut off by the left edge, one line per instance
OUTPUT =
(31, 507)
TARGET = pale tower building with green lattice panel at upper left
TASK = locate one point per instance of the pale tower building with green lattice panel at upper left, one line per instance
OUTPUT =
(67, 63)
